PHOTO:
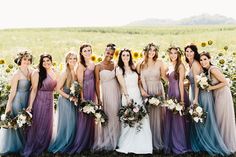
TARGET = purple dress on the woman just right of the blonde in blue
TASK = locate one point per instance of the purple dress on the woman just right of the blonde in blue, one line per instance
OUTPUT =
(85, 124)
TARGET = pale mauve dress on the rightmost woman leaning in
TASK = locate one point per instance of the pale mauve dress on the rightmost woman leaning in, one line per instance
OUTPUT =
(225, 117)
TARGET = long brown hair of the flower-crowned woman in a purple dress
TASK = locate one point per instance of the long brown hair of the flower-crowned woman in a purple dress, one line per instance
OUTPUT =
(178, 61)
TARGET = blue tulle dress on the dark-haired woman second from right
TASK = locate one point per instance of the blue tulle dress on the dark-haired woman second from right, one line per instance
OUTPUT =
(205, 137)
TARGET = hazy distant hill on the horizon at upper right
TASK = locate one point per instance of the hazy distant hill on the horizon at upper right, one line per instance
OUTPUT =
(204, 19)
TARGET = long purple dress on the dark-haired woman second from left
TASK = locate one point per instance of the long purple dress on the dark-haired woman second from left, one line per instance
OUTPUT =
(39, 134)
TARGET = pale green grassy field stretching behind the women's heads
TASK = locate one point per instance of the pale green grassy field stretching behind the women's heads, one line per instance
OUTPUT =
(58, 41)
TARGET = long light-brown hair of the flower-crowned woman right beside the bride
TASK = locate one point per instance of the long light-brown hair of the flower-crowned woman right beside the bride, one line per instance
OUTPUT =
(146, 49)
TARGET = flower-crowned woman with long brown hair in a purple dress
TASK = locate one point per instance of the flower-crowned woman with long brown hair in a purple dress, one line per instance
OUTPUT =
(176, 138)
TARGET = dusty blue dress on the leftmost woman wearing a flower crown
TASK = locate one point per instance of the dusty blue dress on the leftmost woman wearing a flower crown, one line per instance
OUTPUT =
(12, 141)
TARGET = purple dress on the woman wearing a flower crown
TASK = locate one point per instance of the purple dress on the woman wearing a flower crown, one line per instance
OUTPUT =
(176, 129)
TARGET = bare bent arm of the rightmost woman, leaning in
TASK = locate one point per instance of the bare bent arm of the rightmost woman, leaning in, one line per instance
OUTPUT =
(220, 77)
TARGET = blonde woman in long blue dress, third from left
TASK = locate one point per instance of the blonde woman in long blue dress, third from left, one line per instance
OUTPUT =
(66, 126)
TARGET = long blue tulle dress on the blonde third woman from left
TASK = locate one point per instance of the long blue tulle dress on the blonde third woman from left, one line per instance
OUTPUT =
(66, 126)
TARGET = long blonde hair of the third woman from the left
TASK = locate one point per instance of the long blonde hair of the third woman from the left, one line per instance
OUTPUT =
(68, 71)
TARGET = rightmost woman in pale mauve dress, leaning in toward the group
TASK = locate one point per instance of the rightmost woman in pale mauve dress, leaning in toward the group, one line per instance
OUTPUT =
(224, 107)
